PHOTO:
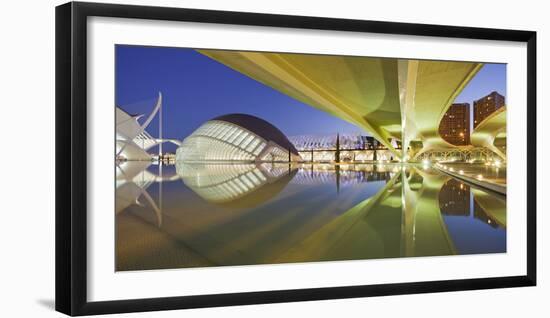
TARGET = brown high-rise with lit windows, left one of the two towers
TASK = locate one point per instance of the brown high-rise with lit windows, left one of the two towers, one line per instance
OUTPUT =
(455, 125)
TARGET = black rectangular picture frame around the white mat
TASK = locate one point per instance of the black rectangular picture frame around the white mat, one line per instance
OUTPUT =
(71, 157)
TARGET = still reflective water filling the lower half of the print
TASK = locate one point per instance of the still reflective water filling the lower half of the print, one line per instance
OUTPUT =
(197, 215)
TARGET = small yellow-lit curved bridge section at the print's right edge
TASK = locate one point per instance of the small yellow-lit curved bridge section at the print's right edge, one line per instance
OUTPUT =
(486, 132)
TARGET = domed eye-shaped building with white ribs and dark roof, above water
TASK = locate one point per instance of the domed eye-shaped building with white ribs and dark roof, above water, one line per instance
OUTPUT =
(237, 137)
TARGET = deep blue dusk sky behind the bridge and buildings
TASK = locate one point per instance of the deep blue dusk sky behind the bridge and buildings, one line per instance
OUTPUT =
(196, 88)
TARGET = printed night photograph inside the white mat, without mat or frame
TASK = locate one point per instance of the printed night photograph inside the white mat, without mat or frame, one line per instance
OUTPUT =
(232, 158)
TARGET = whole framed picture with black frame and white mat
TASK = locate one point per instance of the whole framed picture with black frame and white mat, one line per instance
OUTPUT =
(209, 158)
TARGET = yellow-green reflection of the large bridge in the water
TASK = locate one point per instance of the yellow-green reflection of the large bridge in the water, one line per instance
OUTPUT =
(402, 219)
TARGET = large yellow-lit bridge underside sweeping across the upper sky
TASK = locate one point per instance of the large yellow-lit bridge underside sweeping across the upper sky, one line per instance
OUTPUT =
(389, 98)
